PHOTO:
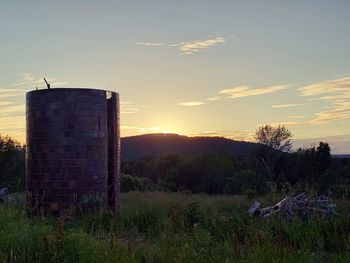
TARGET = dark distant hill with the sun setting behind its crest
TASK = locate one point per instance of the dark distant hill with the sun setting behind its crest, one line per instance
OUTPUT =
(135, 147)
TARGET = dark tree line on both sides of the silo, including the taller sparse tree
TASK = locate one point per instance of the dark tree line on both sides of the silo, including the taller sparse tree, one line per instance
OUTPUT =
(274, 167)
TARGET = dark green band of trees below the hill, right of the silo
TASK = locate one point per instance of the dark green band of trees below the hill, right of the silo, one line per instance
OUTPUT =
(306, 169)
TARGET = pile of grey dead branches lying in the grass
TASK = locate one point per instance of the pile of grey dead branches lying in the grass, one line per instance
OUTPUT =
(298, 206)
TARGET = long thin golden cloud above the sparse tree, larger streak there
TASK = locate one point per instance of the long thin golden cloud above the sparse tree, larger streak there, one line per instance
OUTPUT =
(245, 91)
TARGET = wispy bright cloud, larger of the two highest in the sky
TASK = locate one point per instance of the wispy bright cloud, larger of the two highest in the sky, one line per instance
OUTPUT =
(190, 47)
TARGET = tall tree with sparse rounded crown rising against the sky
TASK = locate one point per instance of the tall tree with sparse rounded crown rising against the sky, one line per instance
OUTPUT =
(274, 141)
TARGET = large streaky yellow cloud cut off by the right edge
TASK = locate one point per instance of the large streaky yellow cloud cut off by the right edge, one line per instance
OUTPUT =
(334, 92)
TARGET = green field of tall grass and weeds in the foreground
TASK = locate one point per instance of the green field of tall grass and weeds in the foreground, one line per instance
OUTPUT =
(175, 227)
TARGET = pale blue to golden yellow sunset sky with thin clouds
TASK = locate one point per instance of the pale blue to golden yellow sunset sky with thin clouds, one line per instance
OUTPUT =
(190, 67)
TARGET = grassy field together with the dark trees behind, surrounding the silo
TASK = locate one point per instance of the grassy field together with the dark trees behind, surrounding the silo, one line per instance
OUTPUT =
(182, 224)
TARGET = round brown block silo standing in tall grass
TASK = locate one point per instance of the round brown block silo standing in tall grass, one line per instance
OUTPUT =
(73, 150)
